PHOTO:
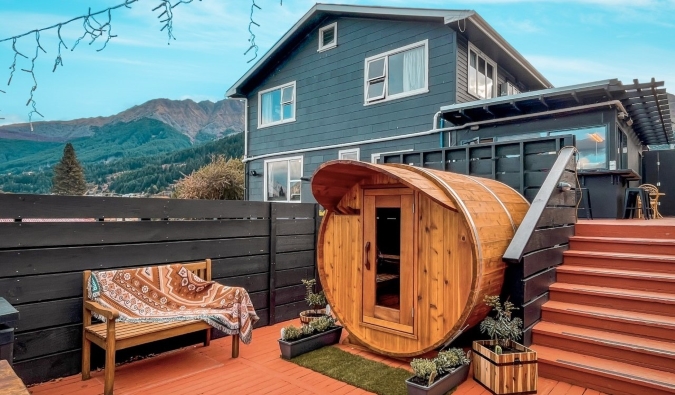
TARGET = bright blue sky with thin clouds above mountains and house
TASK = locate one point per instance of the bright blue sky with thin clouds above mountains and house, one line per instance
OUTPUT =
(570, 41)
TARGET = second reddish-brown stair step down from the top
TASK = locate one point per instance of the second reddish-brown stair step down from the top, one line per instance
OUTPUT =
(623, 245)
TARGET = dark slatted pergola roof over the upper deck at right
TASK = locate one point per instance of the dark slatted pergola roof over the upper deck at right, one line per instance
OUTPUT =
(646, 106)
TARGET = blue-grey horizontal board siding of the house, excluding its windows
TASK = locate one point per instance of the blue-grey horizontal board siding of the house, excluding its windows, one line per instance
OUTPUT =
(329, 98)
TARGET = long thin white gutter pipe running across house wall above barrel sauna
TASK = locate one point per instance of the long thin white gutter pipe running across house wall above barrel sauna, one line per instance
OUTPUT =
(435, 129)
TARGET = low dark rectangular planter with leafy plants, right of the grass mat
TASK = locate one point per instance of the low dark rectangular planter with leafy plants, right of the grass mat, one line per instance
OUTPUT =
(439, 375)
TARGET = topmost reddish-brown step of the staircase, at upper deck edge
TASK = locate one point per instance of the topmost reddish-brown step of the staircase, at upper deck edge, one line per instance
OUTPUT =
(628, 228)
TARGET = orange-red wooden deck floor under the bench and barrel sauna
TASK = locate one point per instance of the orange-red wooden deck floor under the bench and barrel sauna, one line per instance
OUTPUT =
(258, 370)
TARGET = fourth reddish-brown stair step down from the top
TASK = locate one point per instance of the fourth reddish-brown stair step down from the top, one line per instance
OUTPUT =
(613, 278)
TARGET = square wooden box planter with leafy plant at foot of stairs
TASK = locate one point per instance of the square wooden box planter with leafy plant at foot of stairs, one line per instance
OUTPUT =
(500, 364)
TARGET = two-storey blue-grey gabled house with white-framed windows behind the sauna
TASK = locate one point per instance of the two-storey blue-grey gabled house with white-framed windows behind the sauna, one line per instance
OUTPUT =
(353, 82)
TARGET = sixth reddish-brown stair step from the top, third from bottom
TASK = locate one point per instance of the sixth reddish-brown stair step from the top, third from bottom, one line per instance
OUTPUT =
(628, 322)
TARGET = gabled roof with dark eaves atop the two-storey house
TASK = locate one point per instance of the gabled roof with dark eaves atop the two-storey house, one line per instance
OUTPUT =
(467, 21)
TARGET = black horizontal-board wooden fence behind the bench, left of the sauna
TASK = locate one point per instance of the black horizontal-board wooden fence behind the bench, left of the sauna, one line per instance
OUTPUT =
(47, 241)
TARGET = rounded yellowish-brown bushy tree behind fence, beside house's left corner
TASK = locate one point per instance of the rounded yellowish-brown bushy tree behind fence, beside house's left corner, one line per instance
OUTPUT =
(219, 180)
